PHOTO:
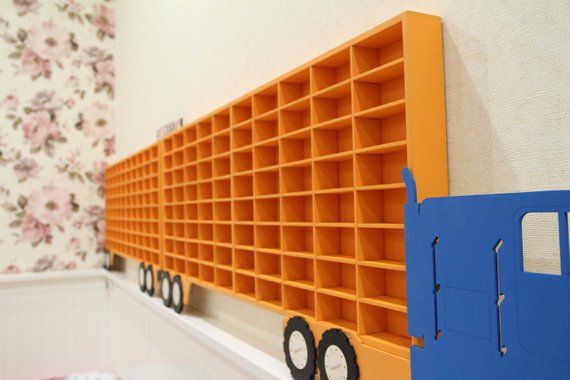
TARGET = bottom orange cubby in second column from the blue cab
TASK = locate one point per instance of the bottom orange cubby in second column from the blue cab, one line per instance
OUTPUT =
(336, 310)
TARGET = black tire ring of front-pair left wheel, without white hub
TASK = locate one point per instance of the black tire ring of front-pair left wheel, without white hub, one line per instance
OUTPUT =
(308, 372)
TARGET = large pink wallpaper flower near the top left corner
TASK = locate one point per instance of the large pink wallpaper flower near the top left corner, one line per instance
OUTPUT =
(50, 41)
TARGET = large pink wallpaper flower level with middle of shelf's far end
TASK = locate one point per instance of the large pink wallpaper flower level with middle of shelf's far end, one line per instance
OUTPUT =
(51, 205)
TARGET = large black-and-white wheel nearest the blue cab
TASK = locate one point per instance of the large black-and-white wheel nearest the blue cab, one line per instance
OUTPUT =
(336, 357)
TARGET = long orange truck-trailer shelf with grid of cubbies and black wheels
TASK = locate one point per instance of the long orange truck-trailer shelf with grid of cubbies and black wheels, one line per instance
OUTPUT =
(291, 197)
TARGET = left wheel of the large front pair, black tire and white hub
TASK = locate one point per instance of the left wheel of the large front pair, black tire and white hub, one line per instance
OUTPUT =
(299, 348)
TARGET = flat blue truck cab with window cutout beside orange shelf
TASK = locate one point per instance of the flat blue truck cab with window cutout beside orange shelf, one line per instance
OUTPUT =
(474, 309)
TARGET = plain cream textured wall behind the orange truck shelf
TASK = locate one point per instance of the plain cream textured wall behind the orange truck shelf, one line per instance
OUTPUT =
(507, 72)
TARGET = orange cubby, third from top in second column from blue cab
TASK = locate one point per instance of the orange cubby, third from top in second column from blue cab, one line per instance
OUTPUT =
(332, 141)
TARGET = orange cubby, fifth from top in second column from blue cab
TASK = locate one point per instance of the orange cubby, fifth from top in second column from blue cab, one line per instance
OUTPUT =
(334, 207)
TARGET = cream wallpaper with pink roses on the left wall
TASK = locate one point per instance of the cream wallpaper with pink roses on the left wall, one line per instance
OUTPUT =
(56, 131)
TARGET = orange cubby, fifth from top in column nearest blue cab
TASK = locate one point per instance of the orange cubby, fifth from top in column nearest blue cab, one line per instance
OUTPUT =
(380, 206)
